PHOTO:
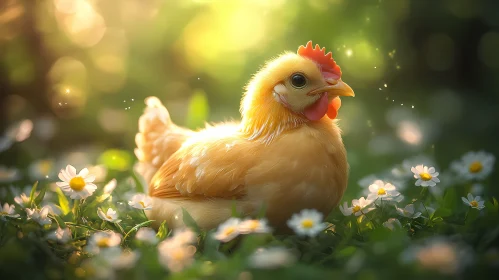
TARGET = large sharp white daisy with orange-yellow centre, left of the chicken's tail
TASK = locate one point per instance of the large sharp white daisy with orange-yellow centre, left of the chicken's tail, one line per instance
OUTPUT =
(76, 186)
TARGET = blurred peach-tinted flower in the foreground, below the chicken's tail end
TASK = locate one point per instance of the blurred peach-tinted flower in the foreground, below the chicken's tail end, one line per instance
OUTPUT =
(175, 258)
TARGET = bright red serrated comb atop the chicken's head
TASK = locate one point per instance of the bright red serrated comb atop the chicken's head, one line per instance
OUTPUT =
(328, 66)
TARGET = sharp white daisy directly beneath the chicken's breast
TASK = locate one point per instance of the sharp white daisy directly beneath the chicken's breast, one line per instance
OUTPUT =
(307, 223)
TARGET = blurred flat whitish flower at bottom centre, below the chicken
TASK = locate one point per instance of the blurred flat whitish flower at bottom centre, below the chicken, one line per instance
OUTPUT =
(271, 258)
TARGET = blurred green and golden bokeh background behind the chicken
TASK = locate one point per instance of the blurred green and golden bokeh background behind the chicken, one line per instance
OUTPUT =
(74, 74)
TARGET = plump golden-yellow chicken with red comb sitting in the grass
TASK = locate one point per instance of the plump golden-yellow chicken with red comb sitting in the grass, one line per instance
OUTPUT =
(285, 155)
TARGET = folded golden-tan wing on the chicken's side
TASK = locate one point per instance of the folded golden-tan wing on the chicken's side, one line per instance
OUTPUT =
(210, 164)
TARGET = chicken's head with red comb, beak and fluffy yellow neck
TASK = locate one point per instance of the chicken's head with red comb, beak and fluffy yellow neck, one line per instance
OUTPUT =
(295, 88)
